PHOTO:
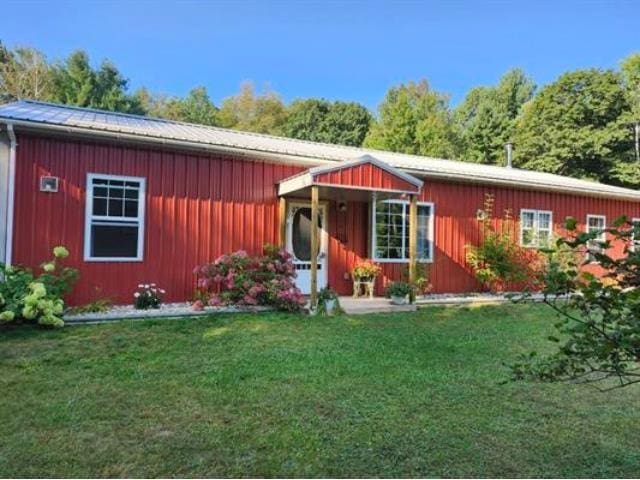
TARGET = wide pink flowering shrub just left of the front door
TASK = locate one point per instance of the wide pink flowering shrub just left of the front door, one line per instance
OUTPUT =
(240, 279)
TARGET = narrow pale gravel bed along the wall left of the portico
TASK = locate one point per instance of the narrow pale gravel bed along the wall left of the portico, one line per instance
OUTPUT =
(181, 309)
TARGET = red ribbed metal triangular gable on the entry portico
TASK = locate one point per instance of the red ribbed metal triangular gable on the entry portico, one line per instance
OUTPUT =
(365, 175)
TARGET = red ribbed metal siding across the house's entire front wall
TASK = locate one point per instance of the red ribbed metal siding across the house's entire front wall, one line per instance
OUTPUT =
(200, 206)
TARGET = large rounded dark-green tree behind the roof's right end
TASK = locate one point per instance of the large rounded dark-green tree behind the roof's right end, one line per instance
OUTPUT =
(572, 127)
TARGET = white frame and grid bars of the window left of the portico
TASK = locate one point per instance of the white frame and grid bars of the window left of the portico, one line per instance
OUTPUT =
(89, 217)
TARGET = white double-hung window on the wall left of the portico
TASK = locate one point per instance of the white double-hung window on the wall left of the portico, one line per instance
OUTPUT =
(114, 225)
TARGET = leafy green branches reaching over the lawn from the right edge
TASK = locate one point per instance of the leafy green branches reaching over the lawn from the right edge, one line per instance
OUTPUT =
(595, 293)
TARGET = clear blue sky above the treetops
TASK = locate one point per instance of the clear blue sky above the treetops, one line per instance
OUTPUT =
(337, 50)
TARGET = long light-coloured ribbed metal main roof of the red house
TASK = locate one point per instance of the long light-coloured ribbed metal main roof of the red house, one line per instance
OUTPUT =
(43, 115)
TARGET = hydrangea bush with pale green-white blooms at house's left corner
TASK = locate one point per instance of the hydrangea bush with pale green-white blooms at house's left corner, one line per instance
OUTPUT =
(24, 296)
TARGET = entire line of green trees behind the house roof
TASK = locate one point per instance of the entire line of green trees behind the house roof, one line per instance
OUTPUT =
(585, 124)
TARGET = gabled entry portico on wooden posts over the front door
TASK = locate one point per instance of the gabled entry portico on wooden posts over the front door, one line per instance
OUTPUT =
(362, 179)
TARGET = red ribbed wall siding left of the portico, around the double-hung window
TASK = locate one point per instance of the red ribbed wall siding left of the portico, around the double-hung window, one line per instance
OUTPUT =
(197, 207)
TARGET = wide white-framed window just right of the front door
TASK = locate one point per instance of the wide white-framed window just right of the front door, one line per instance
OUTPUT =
(391, 231)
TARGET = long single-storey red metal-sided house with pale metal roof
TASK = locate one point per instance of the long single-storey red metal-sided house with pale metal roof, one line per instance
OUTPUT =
(138, 199)
